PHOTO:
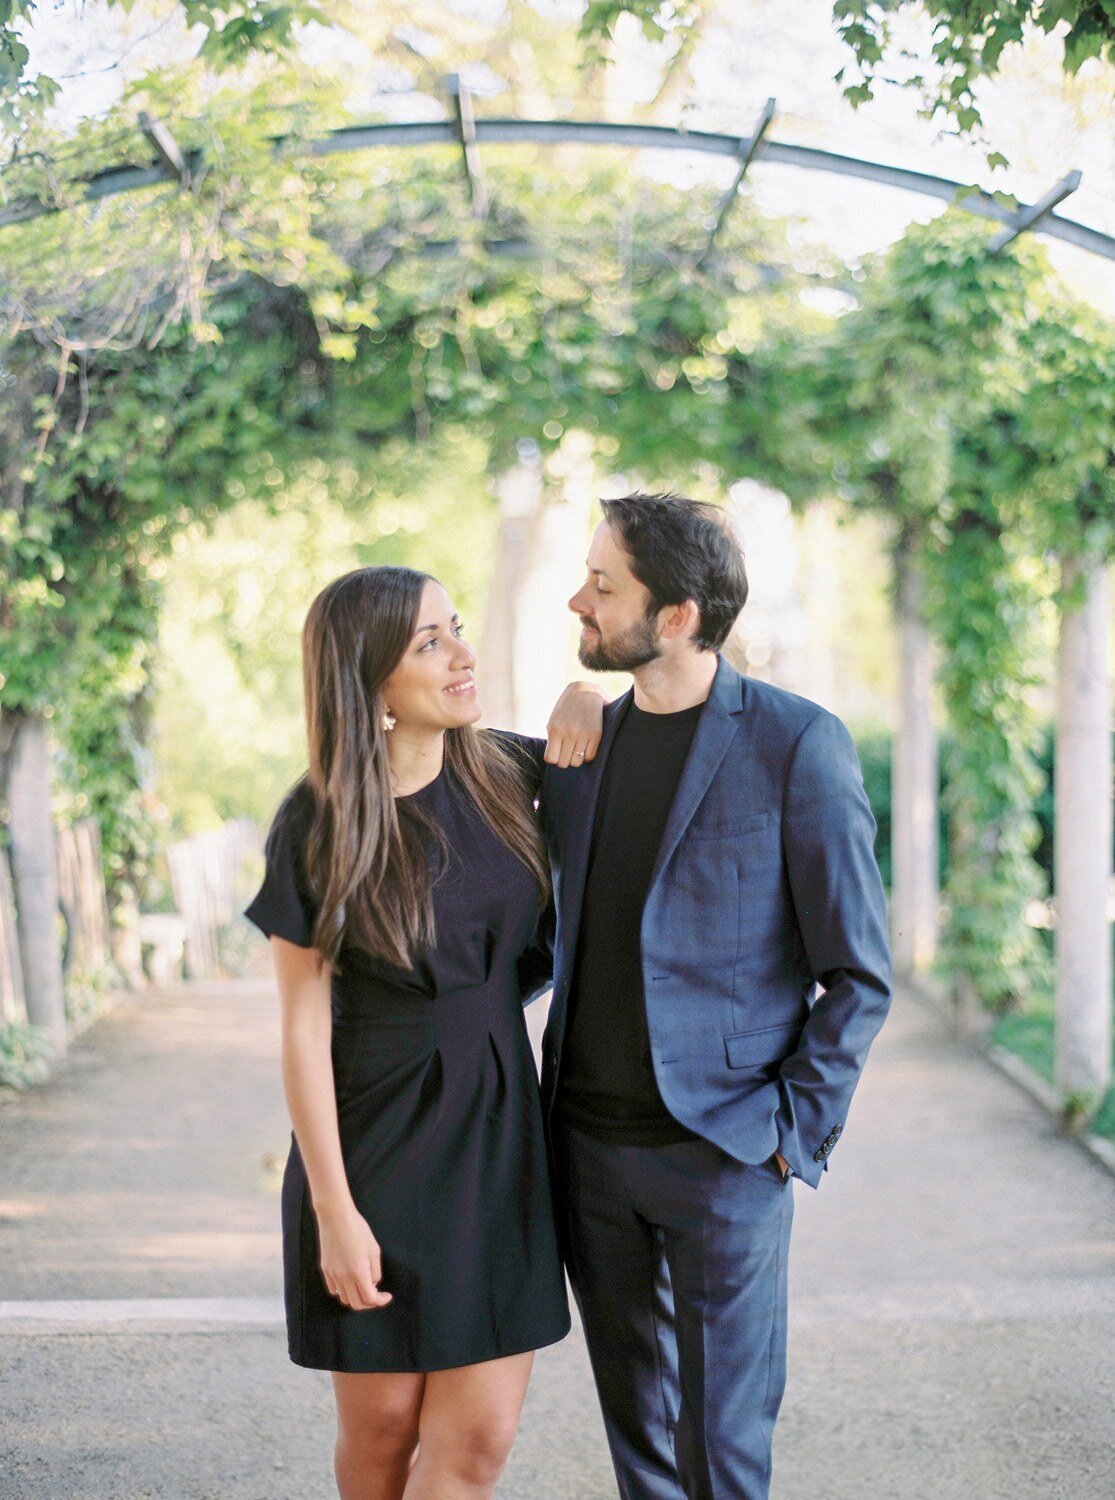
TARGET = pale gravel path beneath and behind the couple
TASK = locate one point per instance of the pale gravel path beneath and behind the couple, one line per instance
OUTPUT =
(952, 1288)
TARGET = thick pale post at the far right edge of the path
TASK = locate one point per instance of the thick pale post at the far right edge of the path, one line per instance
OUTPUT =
(1083, 838)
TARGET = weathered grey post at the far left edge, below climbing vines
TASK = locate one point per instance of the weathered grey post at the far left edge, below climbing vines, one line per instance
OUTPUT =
(35, 875)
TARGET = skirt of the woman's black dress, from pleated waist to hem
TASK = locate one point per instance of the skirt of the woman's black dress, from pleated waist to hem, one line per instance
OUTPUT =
(443, 1147)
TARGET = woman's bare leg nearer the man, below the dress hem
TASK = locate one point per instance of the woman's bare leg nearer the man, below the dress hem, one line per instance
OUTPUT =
(467, 1427)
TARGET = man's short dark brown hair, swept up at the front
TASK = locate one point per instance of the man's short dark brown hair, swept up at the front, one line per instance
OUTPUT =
(684, 550)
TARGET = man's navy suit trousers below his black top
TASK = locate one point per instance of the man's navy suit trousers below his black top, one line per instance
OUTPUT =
(678, 1258)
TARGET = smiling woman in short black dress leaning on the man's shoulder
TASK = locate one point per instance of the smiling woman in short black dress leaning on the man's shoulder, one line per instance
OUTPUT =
(403, 896)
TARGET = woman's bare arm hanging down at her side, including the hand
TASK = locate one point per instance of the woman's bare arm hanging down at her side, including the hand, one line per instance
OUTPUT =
(350, 1255)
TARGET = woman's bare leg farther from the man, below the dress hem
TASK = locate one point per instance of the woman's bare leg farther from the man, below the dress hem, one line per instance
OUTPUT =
(377, 1432)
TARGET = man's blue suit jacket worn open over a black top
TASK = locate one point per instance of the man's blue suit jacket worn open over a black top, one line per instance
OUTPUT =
(765, 935)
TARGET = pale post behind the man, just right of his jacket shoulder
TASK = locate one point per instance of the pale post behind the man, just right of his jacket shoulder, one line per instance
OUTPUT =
(915, 788)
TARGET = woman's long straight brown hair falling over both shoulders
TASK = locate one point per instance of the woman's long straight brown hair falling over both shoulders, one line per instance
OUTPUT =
(367, 862)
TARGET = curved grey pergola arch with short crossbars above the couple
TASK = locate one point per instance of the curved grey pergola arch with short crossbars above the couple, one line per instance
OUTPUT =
(469, 134)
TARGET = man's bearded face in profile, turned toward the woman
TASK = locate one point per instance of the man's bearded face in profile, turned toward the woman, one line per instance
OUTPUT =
(616, 634)
